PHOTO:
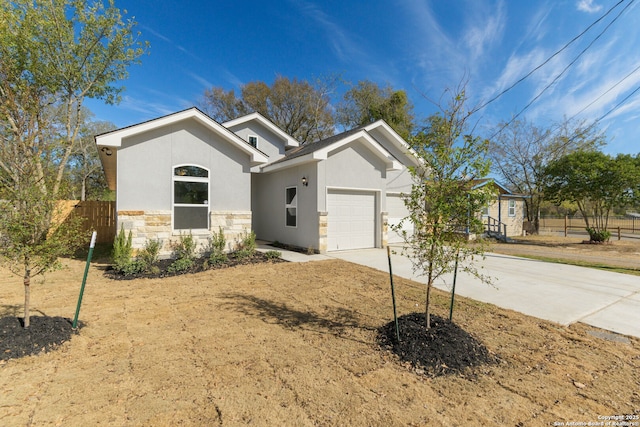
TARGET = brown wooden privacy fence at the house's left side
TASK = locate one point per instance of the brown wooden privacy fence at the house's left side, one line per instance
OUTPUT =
(99, 216)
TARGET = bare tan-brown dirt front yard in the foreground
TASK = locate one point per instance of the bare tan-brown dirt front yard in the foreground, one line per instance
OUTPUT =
(294, 344)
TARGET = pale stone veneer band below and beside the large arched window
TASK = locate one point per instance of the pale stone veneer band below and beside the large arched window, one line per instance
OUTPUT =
(150, 225)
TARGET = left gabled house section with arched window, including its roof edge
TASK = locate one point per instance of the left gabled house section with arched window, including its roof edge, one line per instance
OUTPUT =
(181, 173)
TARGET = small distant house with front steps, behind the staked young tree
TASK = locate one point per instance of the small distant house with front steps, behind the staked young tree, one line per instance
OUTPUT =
(506, 213)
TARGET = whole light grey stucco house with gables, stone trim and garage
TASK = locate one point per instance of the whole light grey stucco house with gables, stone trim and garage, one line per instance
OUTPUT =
(185, 172)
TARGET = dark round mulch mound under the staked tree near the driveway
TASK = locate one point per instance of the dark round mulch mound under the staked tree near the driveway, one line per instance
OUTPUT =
(444, 349)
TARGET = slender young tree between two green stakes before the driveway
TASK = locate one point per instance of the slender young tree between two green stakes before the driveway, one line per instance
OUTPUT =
(444, 202)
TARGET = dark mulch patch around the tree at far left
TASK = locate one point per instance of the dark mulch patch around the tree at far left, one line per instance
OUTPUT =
(43, 335)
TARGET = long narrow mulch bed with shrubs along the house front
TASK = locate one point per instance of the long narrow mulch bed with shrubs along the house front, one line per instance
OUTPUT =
(199, 265)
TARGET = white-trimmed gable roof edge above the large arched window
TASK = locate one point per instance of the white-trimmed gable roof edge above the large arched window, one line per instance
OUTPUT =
(109, 142)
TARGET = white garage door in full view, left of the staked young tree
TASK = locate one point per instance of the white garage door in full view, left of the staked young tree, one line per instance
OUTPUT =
(351, 220)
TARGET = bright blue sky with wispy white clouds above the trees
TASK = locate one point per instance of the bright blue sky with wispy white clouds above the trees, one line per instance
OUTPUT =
(421, 46)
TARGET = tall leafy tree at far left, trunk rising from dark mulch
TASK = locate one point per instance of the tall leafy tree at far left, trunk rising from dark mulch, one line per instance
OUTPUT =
(53, 55)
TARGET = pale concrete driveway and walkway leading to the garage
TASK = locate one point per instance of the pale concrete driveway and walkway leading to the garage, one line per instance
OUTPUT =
(560, 293)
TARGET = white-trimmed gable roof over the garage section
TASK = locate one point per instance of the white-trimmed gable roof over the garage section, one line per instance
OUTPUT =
(320, 150)
